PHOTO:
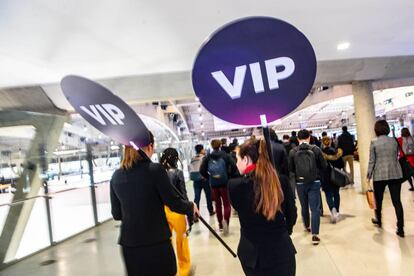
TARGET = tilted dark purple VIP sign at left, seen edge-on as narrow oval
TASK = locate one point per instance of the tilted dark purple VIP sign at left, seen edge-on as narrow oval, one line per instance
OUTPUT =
(105, 111)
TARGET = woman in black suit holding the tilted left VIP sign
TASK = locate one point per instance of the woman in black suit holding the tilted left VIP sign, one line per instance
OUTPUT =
(139, 191)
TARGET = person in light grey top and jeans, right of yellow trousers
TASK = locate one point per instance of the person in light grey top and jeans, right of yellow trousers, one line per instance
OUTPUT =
(199, 182)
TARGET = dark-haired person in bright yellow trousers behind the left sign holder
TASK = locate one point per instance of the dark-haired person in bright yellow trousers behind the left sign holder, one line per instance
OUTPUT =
(177, 222)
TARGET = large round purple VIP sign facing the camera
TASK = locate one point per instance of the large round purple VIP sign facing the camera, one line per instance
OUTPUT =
(253, 67)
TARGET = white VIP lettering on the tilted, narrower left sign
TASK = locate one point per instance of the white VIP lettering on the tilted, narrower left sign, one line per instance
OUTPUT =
(111, 112)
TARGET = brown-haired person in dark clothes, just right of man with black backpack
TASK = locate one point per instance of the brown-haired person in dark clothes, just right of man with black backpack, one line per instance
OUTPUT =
(334, 158)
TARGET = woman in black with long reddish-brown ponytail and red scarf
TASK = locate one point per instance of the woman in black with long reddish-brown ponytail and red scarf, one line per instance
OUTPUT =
(267, 213)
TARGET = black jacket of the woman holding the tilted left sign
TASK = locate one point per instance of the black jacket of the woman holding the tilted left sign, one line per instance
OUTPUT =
(138, 196)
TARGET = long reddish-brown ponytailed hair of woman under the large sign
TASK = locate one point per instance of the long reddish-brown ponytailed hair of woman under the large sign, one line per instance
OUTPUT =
(267, 188)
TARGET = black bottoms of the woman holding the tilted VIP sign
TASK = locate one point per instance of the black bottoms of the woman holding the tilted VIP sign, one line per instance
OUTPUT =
(154, 260)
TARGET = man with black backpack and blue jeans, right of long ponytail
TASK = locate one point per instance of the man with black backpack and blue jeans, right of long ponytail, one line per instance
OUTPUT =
(306, 163)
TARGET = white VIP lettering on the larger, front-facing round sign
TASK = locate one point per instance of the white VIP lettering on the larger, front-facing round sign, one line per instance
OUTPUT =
(234, 89)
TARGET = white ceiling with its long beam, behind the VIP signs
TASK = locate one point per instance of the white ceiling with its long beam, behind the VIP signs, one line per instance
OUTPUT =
(143, 51)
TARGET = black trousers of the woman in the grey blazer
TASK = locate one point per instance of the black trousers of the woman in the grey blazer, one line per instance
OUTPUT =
(395, 190)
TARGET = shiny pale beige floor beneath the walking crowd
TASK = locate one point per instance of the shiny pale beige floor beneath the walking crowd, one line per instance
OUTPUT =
(351, 247)
